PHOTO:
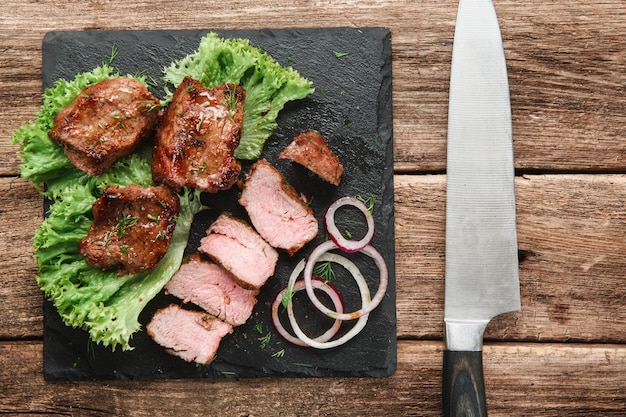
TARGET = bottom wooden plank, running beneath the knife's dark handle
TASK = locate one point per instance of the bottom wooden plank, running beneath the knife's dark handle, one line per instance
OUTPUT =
(519, 381)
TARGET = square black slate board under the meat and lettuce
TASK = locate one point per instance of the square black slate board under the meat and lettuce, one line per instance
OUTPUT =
(352, 108)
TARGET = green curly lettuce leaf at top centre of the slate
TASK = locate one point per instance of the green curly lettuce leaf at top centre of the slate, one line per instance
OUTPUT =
(269, 86)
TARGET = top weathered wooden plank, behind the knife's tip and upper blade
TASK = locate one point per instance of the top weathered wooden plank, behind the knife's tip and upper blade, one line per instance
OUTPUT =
(566, 70)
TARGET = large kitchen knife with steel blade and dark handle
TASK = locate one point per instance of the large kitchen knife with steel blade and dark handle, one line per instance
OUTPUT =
(481, 263)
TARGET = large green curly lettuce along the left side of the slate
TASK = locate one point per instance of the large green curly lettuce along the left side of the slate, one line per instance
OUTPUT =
(104, 304)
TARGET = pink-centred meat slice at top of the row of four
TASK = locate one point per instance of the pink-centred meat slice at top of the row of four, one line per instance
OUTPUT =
(276, 210)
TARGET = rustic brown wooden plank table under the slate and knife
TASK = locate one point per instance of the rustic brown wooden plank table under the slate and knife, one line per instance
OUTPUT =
(564, 354)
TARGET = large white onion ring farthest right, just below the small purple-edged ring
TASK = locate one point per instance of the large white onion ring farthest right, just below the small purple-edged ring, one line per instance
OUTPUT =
(320, 253)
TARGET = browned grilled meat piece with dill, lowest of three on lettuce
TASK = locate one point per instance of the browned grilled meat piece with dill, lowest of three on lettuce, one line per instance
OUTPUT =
(132, 228)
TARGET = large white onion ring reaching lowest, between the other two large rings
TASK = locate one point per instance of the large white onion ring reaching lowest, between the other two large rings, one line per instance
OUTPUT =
(360, 324)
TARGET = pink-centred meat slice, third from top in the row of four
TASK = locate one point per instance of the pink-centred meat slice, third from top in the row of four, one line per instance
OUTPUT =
(209, 286)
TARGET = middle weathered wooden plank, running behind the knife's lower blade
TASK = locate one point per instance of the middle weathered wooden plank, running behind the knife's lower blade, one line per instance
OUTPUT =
(570, 231)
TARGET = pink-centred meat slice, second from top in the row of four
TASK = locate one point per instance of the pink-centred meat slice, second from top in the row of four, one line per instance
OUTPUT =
(240, 250)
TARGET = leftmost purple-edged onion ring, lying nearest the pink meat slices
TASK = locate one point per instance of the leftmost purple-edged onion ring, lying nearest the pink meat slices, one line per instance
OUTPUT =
(299, 286)
